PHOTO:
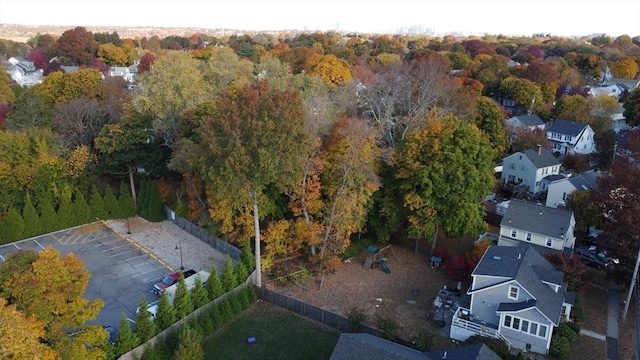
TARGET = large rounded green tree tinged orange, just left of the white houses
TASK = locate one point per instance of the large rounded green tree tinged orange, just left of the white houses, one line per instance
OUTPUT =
(445, 171)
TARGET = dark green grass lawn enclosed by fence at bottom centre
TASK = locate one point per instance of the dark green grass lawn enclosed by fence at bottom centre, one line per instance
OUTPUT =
(279, 334)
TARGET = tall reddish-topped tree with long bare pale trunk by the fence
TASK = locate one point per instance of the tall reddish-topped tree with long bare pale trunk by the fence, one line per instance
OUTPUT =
(256, 137)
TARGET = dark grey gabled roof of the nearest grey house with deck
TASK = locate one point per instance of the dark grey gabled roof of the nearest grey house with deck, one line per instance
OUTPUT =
(529, 269)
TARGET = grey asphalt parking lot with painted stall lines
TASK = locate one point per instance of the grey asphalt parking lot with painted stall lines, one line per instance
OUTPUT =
(121, 270)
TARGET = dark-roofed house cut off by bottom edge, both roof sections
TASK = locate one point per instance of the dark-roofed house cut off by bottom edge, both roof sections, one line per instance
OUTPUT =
(356, 346)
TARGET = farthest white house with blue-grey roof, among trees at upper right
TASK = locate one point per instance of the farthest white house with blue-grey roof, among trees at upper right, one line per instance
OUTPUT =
(569, 137)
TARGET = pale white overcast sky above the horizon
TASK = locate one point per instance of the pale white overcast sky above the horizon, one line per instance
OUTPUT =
(508, 17)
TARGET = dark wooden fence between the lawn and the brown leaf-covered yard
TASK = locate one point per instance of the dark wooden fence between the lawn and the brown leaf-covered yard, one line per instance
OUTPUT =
(322, 316)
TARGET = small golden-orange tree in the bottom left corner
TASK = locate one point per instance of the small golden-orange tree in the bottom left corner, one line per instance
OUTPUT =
(21, 335)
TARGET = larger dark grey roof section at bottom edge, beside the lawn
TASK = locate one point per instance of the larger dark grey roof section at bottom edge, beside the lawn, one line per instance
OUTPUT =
(355, 346)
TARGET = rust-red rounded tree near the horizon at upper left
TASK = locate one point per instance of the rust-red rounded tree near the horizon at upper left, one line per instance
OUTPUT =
(76, 47)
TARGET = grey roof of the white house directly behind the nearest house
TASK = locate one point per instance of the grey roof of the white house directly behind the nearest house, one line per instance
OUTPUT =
(538, 219)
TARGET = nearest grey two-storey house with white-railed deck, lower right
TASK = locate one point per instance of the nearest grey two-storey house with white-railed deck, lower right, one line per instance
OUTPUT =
(516, 296)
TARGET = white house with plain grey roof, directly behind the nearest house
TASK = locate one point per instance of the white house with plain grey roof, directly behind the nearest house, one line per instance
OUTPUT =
(535, 224)
